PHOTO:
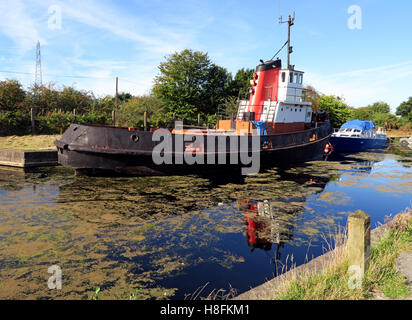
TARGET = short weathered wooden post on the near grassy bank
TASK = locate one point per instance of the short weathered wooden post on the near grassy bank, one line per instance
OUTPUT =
(359, 240)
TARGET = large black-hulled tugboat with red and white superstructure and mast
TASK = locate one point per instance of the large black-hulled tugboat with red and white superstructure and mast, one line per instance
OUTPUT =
(275, 126)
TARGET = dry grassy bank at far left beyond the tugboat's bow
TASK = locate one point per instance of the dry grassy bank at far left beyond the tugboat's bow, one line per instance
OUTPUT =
(38, 142)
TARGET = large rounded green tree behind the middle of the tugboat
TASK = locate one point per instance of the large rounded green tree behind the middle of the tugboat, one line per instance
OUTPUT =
(189, 83)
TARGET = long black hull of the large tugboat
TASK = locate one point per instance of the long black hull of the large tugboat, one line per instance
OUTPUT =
(94, 148)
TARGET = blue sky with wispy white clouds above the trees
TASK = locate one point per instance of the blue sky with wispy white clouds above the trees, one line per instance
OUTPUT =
(99, 40)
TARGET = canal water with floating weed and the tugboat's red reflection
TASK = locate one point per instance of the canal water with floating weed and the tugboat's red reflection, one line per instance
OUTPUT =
(183, 237)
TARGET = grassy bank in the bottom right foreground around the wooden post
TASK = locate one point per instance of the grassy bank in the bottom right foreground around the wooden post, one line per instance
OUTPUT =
(381, 278)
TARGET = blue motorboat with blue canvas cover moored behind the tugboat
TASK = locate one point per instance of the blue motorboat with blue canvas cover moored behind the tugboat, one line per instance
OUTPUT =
(357, 136)
